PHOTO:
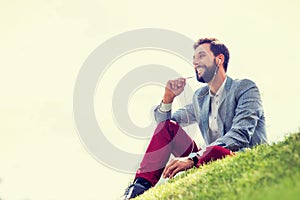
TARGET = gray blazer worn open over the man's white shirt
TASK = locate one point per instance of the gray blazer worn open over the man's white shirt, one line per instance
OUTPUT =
(241, 117)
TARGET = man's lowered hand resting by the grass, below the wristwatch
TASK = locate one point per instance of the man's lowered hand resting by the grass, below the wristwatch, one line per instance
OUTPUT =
(176, 165)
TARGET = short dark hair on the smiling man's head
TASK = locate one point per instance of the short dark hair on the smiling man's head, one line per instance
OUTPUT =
(216, 47)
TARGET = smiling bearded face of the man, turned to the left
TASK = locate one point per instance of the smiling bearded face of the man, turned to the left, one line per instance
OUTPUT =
(204, 63)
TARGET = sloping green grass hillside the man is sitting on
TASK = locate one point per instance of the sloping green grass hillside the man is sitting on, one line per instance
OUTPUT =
(264, 172)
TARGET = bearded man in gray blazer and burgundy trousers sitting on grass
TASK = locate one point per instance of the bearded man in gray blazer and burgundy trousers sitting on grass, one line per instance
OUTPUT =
(229, 114)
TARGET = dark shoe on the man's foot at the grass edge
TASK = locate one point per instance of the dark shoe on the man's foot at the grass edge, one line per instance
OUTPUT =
(139, 186)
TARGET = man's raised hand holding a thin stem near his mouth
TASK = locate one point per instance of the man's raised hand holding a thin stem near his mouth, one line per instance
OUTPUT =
(173, 89)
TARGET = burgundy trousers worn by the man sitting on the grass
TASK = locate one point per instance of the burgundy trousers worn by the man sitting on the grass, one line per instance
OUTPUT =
(169, 138)
